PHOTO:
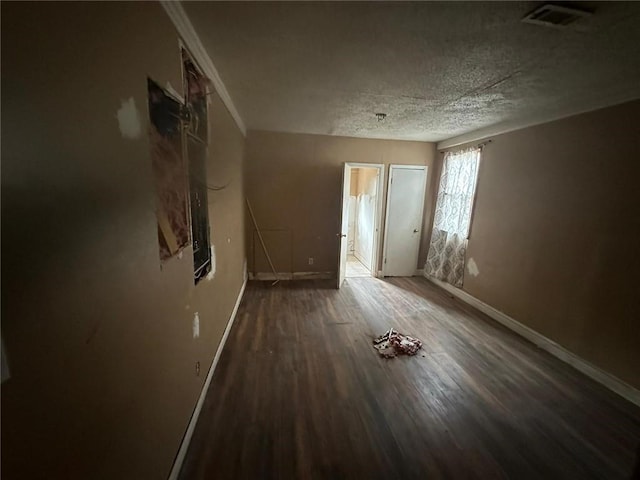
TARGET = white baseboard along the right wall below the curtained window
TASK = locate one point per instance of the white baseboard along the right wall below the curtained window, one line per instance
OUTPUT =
(611, 382)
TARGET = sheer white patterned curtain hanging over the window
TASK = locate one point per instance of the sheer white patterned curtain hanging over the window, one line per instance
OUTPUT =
(445, 260)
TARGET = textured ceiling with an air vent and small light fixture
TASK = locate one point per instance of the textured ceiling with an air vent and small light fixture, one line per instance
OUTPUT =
(437, 69)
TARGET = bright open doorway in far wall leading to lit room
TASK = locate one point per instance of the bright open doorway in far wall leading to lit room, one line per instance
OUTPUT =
(361, 209)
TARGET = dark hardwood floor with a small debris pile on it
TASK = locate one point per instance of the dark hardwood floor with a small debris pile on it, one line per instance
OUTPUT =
(300, 393)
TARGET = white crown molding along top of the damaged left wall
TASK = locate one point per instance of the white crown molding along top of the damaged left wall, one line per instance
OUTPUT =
(191, 40)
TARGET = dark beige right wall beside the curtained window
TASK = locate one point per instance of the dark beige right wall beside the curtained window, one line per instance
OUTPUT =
(556, 230)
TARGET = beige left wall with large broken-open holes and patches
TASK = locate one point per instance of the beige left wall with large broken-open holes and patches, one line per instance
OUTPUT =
(98, 337)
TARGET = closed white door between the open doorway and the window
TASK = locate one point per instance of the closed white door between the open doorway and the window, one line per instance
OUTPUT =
(405, 202)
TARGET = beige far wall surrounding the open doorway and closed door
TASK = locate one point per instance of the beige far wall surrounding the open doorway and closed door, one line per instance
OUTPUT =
(294, 184)
